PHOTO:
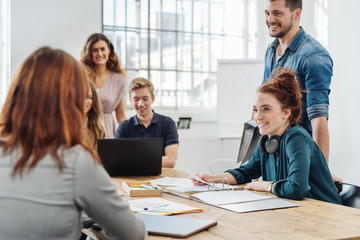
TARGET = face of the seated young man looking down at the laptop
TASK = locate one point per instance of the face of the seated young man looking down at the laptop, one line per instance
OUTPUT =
(141, 101)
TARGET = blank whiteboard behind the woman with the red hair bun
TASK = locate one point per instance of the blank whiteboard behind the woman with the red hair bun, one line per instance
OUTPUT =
(238, 80)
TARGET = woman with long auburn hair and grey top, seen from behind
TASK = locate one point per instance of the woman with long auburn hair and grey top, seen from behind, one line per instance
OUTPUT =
(44, 164)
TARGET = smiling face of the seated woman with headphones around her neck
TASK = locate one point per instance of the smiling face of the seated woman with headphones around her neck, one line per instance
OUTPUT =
(269, 115)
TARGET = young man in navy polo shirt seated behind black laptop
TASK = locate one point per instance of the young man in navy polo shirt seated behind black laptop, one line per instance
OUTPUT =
(147, 123)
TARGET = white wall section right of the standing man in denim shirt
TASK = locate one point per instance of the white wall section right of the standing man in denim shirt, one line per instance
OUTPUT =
(344, 33)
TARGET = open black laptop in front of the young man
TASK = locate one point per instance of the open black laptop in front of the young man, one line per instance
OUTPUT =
(131, 156)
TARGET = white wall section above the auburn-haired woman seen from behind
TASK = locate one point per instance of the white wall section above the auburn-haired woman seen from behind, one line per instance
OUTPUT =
(61, 24)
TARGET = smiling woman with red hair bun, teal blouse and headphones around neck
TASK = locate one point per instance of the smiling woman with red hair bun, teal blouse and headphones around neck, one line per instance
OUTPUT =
(287, 158)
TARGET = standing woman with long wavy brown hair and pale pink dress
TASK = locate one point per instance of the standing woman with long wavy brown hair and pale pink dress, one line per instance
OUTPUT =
(99, 55)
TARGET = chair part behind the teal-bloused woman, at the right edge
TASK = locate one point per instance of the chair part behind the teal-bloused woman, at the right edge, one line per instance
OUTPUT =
(349, 194)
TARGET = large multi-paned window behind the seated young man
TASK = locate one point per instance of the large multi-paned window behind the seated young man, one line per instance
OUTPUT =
(176, 44)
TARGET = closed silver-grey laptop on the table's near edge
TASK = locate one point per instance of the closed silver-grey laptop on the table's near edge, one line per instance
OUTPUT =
(175, 226)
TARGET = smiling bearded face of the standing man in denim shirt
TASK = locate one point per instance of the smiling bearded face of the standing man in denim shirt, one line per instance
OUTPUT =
(280, 19)
